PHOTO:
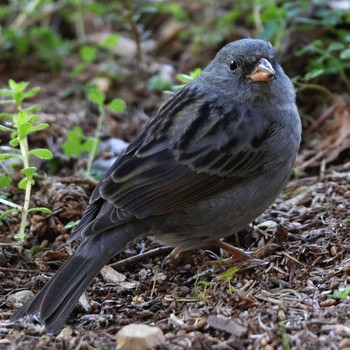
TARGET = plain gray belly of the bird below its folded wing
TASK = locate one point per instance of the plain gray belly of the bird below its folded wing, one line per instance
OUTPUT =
(221, 215)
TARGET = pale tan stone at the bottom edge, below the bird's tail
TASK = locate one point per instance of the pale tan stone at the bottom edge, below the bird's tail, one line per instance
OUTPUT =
(139, 336)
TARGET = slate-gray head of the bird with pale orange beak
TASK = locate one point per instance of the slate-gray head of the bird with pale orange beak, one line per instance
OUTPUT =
(248, 71)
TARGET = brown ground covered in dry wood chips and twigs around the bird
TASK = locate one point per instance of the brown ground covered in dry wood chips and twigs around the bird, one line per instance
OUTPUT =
(289, 298)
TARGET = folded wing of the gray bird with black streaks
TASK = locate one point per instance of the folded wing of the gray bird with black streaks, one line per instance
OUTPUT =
(193, 147)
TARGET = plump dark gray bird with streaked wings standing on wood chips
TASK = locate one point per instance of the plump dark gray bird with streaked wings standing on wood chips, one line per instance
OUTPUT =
(211, 160)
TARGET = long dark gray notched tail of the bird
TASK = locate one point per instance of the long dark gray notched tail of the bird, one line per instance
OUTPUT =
(56, 300)
